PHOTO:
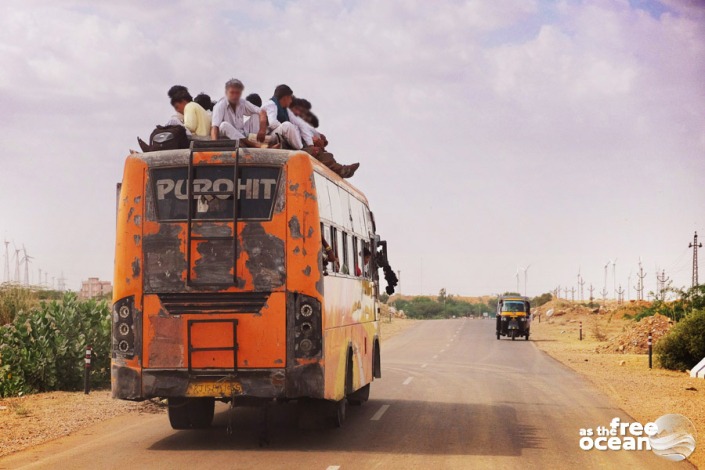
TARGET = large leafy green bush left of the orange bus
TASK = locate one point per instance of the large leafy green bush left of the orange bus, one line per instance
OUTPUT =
(43, 348)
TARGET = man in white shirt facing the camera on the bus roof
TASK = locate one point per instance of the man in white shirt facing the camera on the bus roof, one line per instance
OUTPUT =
(229, 113)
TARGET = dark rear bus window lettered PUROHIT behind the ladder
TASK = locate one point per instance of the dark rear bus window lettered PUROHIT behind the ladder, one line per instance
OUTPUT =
(213, 191)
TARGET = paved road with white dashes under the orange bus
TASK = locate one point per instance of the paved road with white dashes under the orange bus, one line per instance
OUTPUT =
(452, 396)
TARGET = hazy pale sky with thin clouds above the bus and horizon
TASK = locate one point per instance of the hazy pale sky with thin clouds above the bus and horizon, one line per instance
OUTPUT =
(491, 134)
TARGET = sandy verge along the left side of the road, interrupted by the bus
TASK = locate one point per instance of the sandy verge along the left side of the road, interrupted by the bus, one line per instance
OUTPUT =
(30, 420)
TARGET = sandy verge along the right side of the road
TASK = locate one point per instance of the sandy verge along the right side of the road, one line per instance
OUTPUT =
(645, 394)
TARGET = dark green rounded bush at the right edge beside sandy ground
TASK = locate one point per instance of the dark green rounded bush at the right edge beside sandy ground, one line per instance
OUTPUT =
(684, 345)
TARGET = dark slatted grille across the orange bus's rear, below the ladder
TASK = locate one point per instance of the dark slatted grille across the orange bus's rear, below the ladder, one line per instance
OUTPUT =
(229, 302)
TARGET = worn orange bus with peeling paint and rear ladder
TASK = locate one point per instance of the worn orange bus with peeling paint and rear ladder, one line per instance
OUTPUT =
(222, 288)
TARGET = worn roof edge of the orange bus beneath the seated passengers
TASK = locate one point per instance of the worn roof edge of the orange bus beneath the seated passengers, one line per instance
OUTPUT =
(271, 156)
